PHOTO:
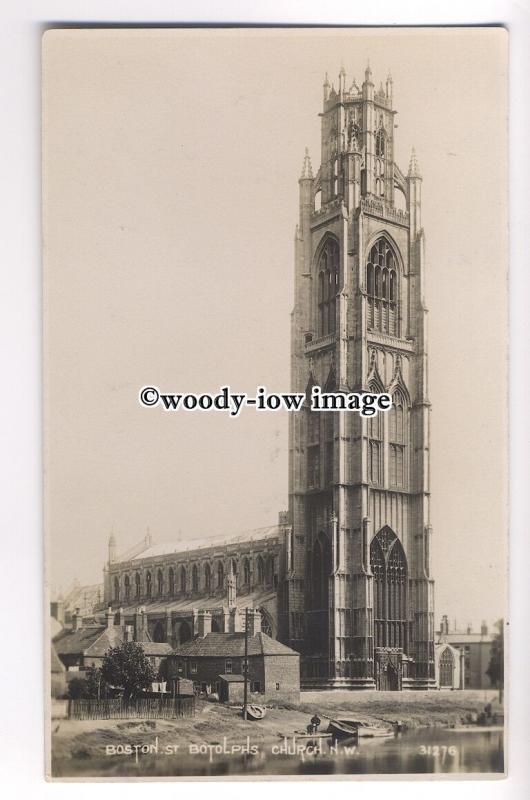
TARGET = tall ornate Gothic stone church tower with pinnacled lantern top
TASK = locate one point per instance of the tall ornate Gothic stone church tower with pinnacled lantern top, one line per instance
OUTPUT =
(358, 596)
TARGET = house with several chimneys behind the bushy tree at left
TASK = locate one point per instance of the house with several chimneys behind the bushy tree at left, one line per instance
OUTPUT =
(85, 645)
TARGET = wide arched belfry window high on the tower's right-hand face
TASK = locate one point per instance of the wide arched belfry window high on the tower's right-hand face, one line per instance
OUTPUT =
(382, 289)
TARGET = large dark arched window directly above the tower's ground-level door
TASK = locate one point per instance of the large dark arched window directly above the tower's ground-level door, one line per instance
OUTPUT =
(389, 568)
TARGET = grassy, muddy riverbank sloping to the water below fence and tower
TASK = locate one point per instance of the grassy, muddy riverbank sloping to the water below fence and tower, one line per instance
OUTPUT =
(112, 747)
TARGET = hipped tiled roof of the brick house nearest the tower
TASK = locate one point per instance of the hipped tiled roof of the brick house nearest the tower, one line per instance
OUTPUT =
(232, 645)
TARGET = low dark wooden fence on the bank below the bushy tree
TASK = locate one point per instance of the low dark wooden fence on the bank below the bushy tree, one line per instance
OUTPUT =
(146, 708)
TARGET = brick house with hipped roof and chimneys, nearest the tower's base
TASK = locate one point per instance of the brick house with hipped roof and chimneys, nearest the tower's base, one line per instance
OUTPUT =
(216, 661)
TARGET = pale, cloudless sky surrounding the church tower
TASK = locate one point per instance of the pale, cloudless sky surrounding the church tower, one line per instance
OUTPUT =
(171, 165)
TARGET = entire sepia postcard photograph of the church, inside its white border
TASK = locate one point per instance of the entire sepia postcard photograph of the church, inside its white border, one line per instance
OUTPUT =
(275, 402)
